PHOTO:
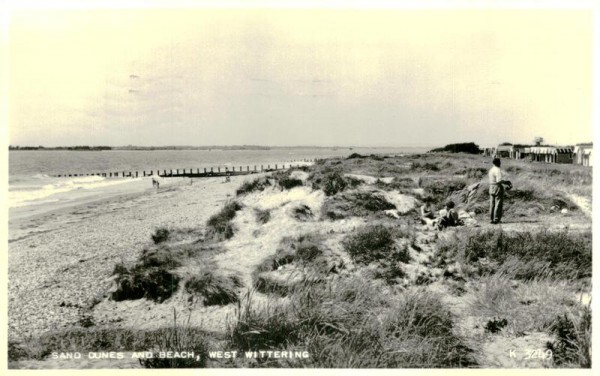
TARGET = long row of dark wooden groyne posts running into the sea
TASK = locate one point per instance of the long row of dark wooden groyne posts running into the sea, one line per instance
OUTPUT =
(196, 172)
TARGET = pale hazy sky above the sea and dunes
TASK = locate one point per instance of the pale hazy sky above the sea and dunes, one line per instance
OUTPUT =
(391, 77)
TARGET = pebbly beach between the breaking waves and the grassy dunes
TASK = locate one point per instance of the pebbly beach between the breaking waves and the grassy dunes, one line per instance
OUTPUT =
(61, 259)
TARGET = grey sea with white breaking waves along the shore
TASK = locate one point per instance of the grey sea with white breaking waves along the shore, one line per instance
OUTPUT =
(33, 181)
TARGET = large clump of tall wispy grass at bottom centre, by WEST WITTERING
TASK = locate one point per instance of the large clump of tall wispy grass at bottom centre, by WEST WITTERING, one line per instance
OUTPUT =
(348, 322)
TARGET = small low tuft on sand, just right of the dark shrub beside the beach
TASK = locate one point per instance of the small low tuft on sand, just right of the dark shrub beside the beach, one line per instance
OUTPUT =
(214, 289)
